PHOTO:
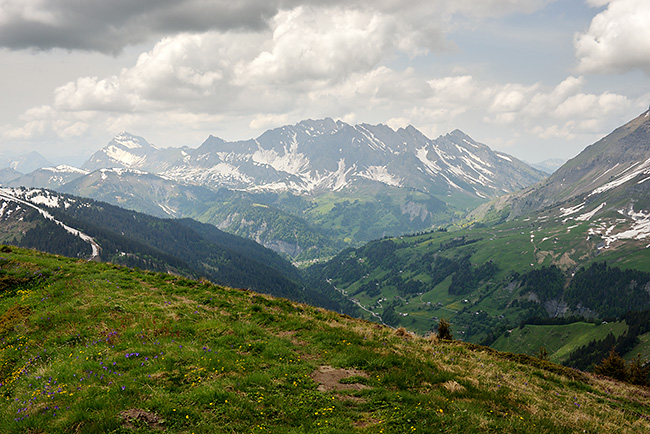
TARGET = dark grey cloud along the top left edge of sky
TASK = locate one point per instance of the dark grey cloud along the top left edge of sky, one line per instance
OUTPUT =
(109, 26)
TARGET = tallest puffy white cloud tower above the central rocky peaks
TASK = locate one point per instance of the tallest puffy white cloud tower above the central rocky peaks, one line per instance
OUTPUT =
(329, 45)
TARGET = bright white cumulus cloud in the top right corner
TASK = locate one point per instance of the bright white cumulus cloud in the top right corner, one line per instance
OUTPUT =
(618, 39)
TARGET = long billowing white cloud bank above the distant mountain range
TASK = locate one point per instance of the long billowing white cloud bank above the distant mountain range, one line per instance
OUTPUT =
(305, 52)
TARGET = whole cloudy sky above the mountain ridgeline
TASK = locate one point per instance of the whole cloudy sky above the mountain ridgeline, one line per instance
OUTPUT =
(537, 79)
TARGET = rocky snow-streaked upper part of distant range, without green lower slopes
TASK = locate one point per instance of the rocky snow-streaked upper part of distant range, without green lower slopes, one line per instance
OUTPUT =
(321, 156)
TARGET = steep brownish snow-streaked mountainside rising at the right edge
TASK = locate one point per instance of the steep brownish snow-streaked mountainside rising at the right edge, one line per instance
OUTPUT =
(605, 177)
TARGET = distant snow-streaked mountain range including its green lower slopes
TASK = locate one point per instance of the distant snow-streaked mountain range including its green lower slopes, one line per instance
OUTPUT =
(305, 190)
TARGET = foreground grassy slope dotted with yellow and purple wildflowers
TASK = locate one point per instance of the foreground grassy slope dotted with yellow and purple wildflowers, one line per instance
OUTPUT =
(92, 347)
